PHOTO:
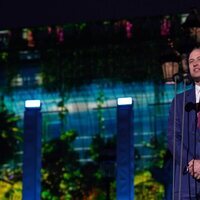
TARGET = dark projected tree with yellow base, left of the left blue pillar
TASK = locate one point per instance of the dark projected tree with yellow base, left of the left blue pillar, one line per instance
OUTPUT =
(10, 139)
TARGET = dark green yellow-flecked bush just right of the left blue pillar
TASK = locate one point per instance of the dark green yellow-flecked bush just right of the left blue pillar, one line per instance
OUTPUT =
(61, 169)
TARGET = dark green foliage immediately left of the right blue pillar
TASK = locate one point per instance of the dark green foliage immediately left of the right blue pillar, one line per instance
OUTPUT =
(102, 168)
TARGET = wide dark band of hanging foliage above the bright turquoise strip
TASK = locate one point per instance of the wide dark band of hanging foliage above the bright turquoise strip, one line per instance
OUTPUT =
(64, 68)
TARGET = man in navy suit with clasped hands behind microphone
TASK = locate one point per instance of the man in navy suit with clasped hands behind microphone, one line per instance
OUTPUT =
(184, 136)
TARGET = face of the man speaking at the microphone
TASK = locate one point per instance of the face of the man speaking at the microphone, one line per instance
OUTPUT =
(194, 64)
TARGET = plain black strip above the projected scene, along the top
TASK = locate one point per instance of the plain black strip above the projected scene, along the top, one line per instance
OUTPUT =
(21, 13)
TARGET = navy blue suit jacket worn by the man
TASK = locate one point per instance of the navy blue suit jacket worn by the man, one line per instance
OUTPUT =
(185, 126)
